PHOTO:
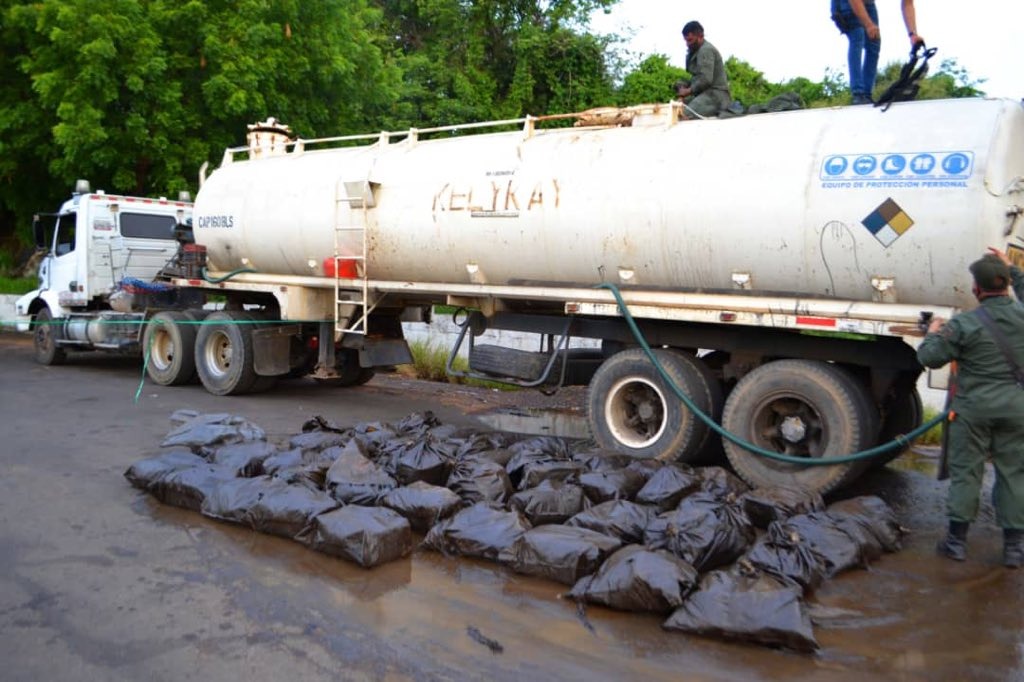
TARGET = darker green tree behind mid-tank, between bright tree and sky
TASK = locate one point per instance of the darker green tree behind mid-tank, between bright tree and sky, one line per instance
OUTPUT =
(495, 59)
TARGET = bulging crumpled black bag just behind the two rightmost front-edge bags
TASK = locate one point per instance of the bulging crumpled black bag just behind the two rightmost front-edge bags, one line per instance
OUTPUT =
(704, 531)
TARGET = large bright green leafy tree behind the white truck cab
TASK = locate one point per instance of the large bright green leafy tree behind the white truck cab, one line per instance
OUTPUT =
(137, 95)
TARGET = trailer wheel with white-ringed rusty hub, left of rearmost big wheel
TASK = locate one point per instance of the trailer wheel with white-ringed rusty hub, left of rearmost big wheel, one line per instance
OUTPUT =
(632, 410)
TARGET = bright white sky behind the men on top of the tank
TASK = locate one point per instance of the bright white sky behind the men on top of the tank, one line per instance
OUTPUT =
(790, 38)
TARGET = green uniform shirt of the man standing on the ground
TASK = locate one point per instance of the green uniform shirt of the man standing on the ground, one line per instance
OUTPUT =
(986, 382)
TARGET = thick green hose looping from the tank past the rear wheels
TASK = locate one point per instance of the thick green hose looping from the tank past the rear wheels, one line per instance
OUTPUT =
(903, 441)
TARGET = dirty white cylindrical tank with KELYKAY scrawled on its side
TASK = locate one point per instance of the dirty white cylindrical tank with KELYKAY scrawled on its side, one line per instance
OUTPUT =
(815, 203)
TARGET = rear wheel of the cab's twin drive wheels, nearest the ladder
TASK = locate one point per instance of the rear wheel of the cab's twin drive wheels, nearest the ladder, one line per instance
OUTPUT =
(225, 354)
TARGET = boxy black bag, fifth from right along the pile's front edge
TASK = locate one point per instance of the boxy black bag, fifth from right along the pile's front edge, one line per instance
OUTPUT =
(367, 536)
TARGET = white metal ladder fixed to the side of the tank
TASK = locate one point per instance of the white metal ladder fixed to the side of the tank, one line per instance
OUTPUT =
(352, 195)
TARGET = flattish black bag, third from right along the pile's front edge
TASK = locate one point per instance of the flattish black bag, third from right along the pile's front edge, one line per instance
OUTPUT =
(560, 553)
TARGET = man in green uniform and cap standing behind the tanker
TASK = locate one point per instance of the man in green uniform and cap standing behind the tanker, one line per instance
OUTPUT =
(989, 408)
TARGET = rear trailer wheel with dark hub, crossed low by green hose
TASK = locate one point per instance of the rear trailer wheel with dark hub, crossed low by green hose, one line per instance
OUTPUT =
(802, 409)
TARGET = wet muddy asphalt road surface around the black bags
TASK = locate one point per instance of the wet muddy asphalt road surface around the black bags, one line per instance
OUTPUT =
(100, 582)
